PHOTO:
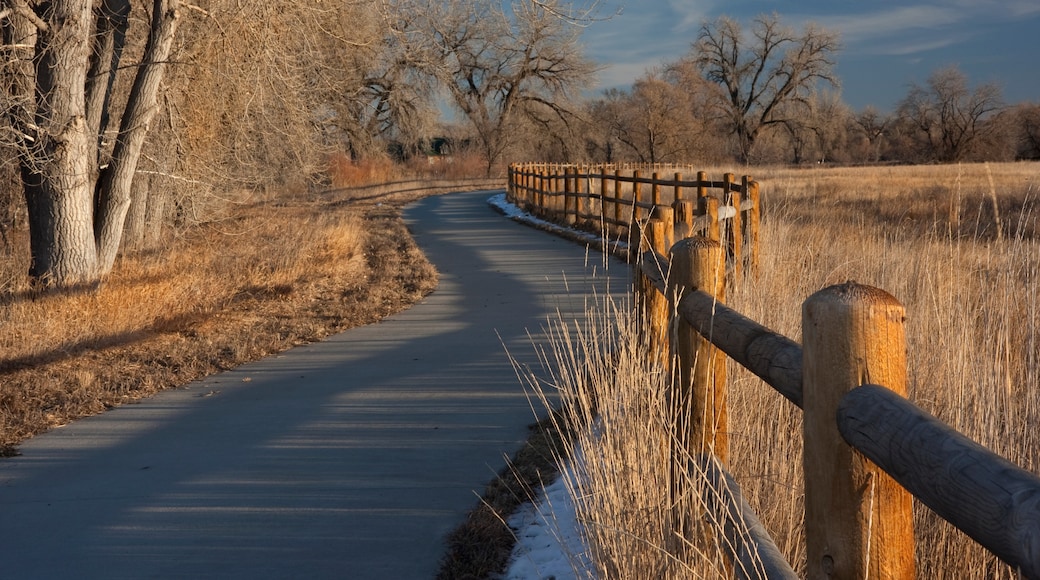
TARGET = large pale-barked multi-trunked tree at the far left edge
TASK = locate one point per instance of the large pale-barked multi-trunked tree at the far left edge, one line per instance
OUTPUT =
(65, 56)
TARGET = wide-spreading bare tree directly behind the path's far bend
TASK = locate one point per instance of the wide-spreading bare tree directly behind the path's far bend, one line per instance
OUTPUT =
(498, 65)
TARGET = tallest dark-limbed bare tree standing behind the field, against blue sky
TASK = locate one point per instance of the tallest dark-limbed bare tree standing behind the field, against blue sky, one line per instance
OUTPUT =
(766, 73)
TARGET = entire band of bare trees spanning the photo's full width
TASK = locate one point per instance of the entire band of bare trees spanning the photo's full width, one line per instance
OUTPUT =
(125, 121)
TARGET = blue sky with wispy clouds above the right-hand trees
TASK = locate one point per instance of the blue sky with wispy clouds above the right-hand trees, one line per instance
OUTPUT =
(888, 45)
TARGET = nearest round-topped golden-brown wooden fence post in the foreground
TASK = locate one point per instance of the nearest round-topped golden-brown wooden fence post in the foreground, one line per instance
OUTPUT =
(859, 520)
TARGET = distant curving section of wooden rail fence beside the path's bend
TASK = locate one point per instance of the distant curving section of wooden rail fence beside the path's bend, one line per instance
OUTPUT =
(617, 202)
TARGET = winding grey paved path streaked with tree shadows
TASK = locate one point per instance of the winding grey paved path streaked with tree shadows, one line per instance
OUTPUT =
(348, 459)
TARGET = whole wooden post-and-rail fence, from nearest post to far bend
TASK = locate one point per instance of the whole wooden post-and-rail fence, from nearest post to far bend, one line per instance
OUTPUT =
(869, 451)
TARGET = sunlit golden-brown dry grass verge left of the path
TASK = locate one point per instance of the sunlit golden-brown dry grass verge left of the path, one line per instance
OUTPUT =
(272, 275)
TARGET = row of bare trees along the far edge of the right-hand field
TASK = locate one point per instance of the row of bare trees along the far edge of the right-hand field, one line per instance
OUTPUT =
(767, 93)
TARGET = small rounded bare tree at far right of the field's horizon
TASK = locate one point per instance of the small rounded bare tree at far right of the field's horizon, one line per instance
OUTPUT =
(949, 118)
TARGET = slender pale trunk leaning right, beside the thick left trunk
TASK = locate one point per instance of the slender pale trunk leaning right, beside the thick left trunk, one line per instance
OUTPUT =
(115, 190)
